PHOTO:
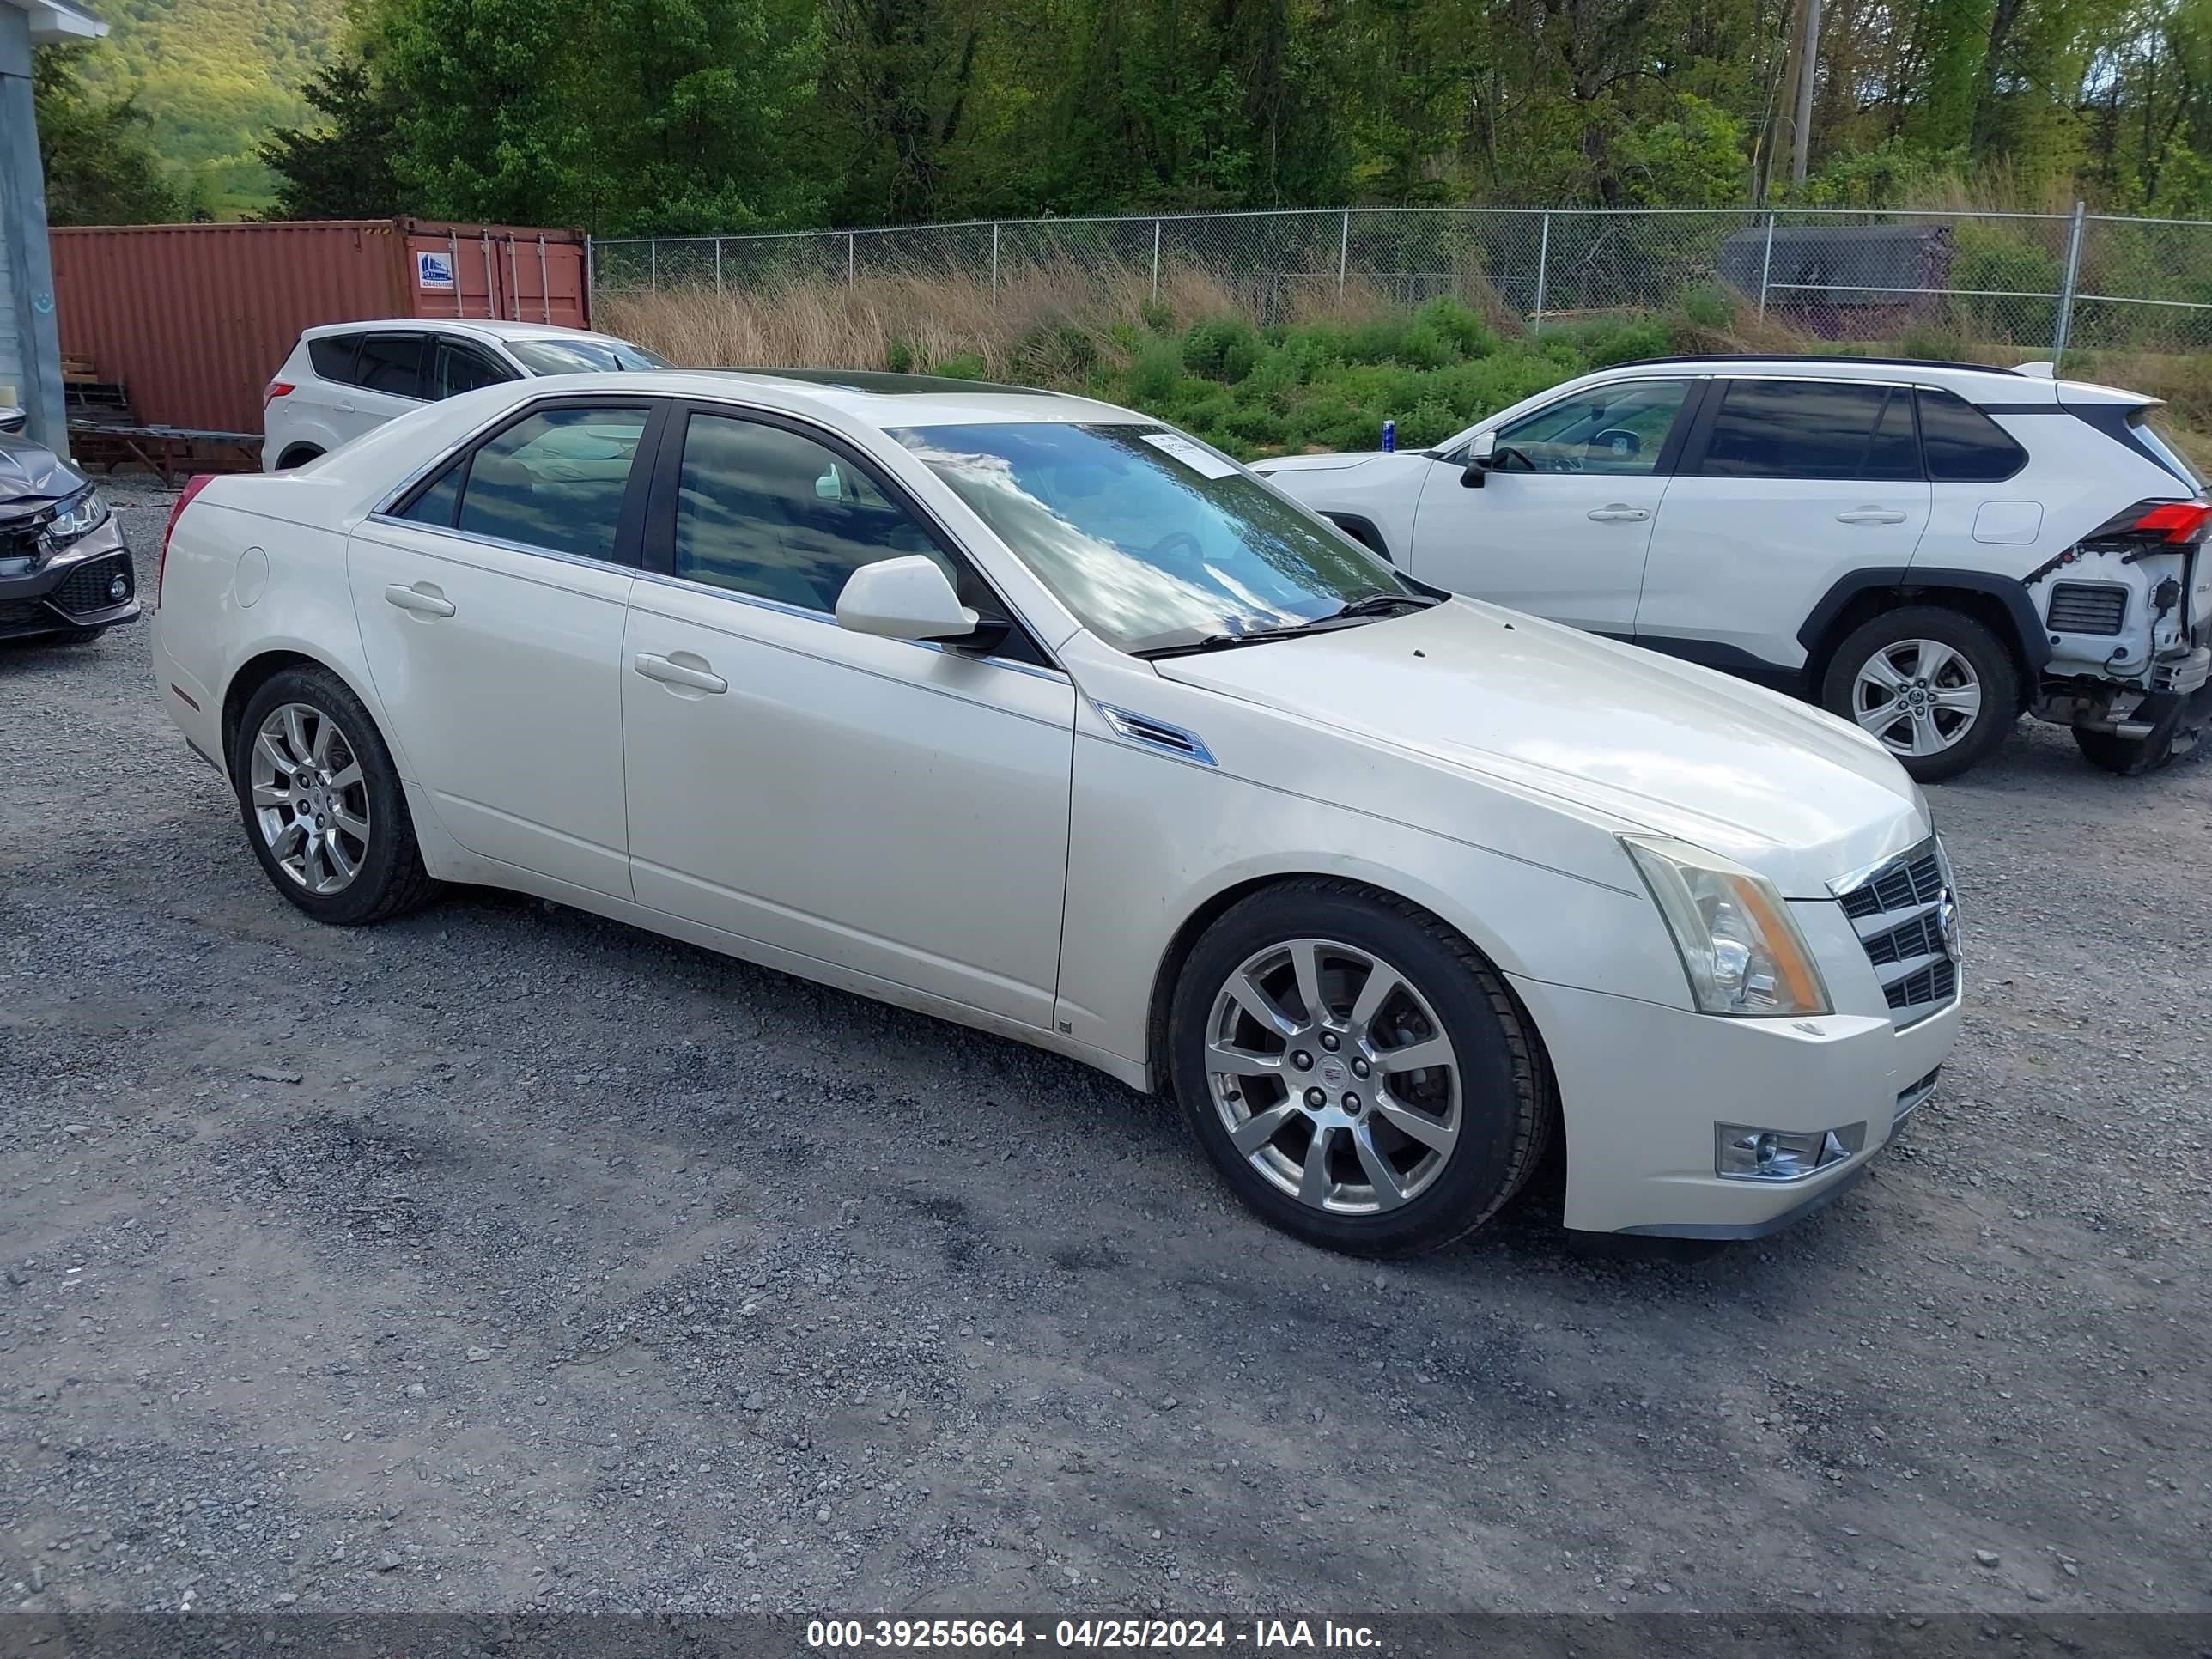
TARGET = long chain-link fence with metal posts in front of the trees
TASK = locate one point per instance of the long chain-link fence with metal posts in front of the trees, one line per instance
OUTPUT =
(1932, 284)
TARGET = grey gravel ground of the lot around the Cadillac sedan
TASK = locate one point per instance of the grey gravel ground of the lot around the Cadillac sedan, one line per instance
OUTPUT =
(508, 1258)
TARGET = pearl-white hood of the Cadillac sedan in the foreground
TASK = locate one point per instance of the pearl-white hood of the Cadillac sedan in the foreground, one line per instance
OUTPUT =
(1636, 738)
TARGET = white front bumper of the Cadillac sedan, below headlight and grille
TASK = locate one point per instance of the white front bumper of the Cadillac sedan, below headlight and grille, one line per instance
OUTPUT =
(1642, 1089)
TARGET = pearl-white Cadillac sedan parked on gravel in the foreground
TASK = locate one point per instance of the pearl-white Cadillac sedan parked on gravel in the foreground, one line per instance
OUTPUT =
(1030, 713)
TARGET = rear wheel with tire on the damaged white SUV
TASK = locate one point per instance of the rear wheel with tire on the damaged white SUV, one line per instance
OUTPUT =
(1930, 682)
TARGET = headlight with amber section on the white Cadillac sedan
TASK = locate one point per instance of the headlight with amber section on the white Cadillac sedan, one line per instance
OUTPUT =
(1733, 930)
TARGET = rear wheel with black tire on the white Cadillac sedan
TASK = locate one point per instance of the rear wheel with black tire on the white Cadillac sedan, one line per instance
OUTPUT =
(322, 802)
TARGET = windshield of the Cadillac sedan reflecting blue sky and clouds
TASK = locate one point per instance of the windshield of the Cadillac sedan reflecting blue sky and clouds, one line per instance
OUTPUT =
(1149, 536)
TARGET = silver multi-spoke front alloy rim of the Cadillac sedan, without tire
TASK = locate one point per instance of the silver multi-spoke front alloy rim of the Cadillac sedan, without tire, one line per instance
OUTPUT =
(1333, 1076)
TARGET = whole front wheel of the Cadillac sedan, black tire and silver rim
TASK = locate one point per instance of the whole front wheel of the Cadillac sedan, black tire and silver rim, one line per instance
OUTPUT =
(1291, 1039)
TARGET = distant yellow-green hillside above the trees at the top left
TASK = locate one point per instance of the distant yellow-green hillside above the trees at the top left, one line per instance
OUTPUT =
(213, 79)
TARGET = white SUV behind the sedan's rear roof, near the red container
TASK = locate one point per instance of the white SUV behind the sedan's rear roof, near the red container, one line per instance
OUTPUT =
(355, 377)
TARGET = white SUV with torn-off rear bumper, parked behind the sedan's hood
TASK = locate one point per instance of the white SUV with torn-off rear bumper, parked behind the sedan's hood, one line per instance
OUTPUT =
(1930, 550)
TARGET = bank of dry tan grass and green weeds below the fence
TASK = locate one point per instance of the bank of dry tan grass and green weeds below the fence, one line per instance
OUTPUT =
(1196, 355)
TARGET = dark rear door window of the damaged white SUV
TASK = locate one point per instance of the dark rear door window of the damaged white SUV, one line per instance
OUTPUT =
(1813, 430)
